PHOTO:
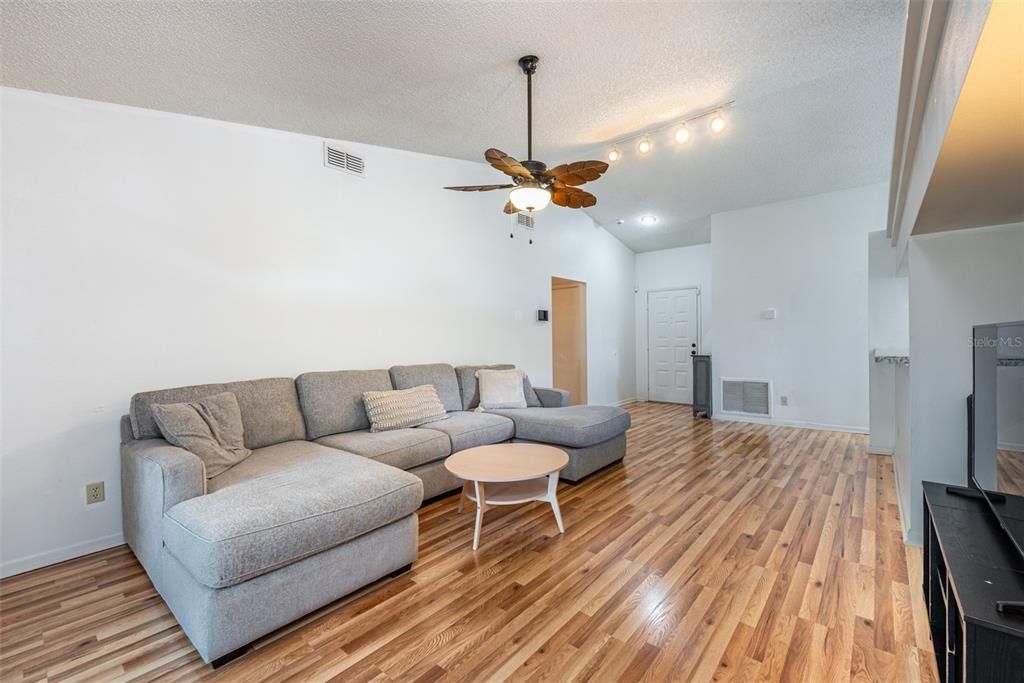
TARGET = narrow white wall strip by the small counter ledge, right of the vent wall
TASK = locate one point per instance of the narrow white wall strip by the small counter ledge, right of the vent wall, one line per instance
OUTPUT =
(889, 329)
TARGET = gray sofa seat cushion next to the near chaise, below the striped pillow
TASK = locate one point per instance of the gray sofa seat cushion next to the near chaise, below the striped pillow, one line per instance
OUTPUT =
(404, 449)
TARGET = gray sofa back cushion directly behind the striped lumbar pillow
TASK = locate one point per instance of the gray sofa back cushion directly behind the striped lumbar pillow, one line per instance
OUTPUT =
(332, 403)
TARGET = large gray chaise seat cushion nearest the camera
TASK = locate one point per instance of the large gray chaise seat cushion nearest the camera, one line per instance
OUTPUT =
(309, 501)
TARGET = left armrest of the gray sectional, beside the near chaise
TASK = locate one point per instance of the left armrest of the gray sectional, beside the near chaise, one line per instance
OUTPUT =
(155, 478)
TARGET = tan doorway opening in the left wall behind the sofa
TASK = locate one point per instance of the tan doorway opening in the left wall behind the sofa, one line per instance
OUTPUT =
(569, 337)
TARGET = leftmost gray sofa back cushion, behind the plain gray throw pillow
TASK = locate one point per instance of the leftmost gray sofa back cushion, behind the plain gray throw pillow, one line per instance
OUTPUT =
(270, 409)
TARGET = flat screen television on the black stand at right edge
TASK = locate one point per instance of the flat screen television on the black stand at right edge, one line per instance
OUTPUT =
(996, 422)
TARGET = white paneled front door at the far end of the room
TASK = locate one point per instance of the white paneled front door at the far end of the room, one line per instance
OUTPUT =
(672, 338)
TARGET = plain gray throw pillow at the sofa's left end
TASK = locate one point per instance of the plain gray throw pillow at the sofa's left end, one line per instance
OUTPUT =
(210, 428)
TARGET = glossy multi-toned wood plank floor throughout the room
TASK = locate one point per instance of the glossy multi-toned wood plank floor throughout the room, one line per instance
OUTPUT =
(720, 551)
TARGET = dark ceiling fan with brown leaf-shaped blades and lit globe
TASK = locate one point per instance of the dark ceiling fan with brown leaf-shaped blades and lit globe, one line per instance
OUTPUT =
(533, 184)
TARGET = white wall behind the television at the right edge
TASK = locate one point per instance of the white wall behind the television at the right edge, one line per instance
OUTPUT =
(958, 280)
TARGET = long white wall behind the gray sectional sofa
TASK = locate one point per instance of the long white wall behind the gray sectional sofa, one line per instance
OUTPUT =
(145, 250)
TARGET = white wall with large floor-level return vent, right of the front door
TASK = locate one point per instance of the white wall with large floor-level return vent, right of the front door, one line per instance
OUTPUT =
(807, 259)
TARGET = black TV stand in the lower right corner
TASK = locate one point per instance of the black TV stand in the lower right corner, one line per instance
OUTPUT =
(974, 586)
